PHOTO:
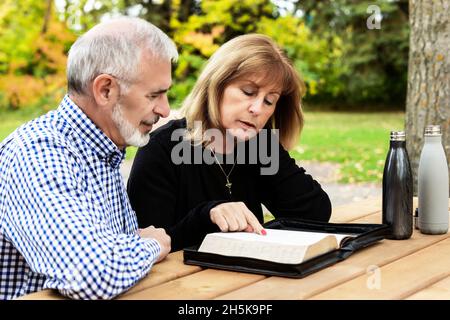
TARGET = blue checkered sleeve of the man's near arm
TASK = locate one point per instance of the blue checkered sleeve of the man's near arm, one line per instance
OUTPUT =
(61, 232)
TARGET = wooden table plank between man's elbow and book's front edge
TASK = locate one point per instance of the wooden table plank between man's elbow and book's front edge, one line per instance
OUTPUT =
(205, 284)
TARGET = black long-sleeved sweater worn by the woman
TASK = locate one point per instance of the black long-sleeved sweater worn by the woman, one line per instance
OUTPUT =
(179, 197)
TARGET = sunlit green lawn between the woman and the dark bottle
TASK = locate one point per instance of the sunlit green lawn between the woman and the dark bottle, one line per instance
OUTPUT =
(357, 141)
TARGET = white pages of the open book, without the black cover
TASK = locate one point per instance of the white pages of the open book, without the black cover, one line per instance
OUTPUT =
(282, 246)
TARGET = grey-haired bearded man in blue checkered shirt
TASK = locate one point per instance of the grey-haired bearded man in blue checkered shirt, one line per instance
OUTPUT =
(65, 218)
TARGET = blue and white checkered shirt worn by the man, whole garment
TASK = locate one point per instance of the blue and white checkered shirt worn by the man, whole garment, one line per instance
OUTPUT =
(65, 219)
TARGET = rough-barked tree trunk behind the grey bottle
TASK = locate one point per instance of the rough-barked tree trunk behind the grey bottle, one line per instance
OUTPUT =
(428, 99)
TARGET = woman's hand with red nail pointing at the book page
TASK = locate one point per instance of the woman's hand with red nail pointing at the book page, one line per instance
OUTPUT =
(235, 216)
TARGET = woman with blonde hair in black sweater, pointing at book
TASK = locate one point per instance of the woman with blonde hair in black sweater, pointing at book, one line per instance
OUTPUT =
(212, 169)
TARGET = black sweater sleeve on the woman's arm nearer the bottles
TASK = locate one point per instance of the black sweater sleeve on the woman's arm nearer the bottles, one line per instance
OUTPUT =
(290, 192)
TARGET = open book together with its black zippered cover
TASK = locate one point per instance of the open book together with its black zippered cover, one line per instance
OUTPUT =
(292, 247)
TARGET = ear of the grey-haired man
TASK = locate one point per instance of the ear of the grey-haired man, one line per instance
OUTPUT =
(105, 90)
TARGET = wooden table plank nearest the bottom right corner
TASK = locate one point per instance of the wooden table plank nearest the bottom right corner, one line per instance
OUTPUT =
(401, 278)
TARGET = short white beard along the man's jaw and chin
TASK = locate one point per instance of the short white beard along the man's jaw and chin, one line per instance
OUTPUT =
(131, 135)
